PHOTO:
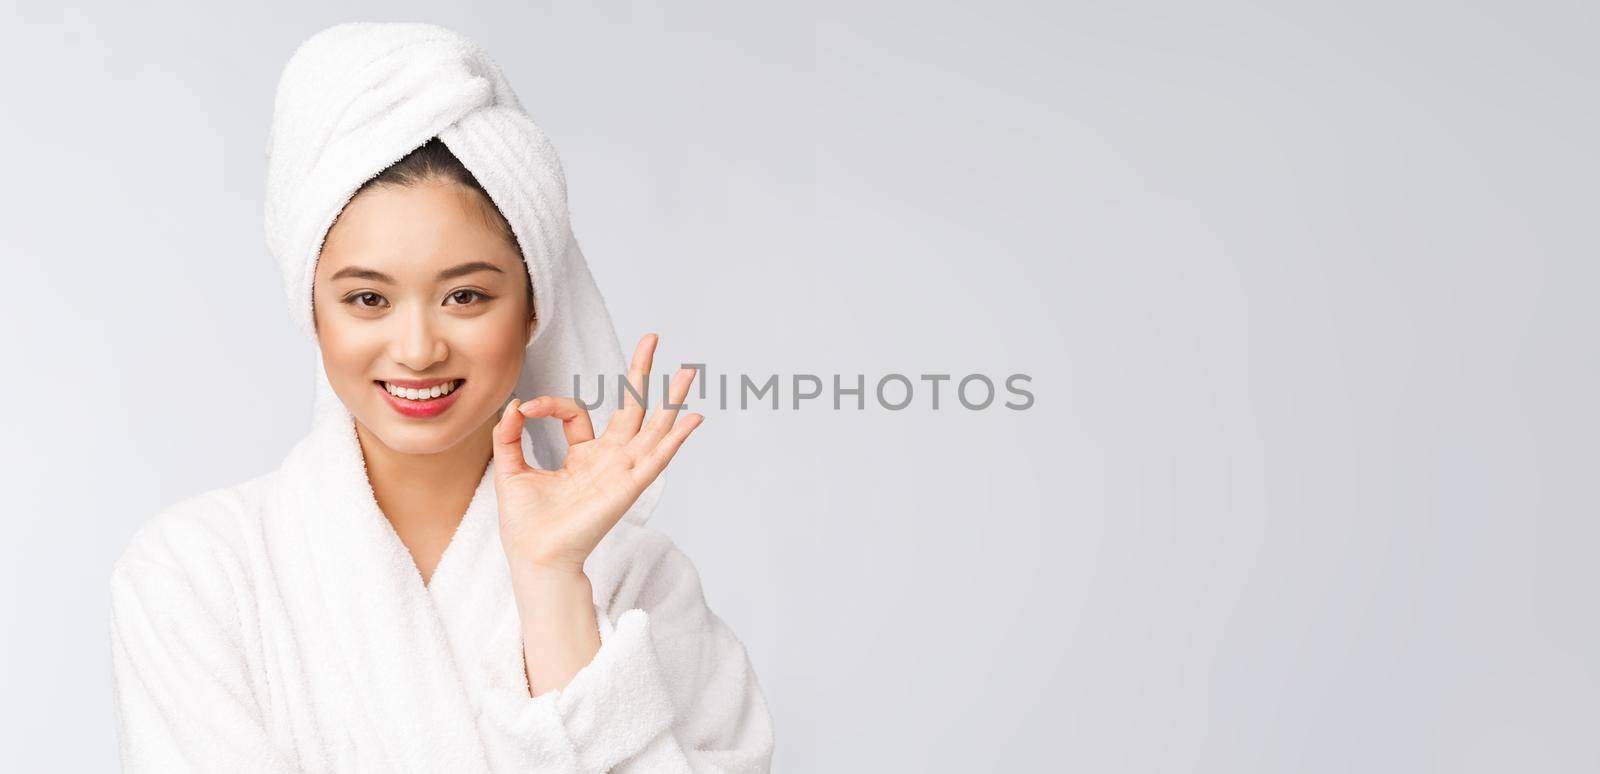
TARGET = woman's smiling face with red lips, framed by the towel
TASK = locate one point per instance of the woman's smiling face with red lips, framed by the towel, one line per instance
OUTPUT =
(418, 285)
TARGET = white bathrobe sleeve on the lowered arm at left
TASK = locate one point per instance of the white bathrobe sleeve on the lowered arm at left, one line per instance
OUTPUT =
(183, 698)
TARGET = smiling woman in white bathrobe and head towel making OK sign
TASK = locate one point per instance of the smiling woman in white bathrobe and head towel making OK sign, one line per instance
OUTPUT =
(430, 583)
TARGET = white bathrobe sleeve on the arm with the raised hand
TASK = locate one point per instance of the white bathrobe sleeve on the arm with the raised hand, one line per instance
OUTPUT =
(671, 690)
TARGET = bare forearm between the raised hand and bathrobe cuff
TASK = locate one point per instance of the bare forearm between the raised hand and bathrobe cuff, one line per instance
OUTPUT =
(561, 634)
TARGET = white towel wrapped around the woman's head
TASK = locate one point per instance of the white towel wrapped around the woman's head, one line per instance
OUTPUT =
(358, 98)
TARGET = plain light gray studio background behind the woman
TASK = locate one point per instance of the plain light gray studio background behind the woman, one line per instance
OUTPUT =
(1308, 297)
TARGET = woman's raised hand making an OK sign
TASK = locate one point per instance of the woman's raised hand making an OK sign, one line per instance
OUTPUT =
(554, 519)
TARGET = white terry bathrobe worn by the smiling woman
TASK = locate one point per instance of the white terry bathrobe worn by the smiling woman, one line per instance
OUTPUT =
(282, 626)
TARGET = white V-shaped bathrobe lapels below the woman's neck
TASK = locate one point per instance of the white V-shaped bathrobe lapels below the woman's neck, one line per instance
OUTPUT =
(396, 644)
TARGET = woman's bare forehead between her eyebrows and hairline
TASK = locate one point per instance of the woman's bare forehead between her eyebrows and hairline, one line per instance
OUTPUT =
(414, 231)
